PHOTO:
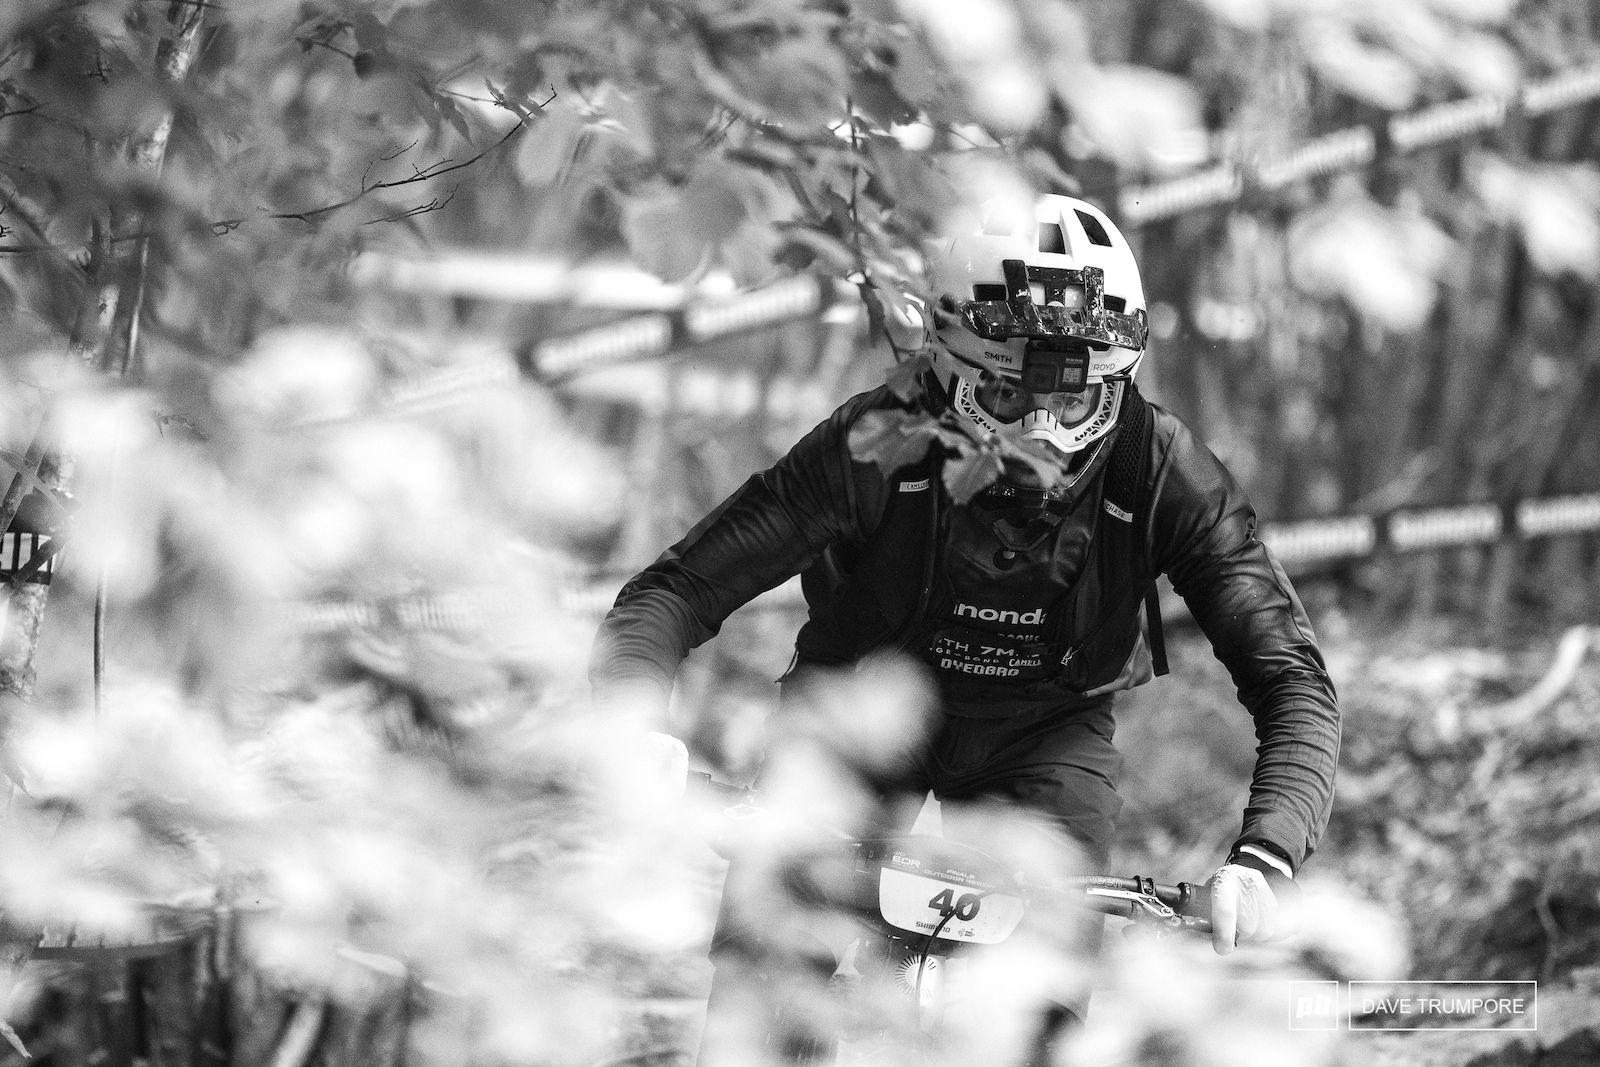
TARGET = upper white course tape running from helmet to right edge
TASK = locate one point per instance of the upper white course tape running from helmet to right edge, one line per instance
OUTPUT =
(1356, 146)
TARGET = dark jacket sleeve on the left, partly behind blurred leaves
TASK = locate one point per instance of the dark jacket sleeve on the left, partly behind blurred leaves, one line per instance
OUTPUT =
(772, 529)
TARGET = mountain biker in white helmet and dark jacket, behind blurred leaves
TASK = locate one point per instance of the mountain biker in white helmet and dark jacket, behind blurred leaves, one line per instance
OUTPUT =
(1025, 602)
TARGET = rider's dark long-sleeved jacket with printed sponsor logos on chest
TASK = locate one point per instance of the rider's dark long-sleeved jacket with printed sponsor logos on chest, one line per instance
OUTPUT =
(873, 553)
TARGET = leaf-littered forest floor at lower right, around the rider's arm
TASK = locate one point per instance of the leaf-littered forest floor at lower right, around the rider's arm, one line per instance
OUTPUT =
(1465, 810)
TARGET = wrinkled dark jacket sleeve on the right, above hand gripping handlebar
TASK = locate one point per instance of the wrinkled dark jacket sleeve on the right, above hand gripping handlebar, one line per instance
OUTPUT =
(1204, 538)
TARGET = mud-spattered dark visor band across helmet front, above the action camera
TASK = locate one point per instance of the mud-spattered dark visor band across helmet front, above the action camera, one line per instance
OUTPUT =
(1074, 306)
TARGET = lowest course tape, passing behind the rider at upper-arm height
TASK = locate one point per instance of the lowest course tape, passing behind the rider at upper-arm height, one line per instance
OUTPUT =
(1298, 546)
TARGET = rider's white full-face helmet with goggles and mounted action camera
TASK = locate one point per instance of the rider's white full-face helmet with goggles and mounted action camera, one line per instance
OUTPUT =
(1041, 322)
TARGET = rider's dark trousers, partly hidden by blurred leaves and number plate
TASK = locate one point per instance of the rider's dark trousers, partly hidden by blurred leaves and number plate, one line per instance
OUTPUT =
(1052, 767)
